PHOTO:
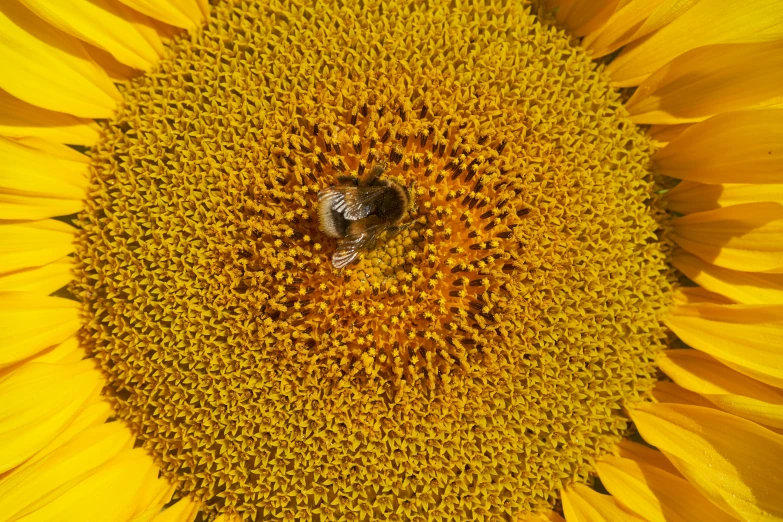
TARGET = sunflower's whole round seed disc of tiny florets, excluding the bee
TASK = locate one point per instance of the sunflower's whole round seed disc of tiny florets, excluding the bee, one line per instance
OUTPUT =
(471, 364)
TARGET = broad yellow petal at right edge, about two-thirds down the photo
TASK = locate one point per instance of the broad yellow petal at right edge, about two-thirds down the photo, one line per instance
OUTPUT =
(747, 337)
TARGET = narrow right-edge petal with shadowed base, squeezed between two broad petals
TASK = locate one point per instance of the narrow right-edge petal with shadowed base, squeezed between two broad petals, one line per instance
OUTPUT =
(689, 197)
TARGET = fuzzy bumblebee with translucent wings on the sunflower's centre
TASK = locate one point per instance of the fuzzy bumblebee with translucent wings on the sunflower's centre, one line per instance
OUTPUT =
(357, 211)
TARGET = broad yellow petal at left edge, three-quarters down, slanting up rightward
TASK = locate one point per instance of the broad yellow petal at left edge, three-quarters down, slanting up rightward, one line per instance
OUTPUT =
(39, 401)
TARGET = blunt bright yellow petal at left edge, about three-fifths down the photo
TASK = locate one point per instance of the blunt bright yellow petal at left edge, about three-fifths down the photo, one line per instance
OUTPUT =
(30, 323)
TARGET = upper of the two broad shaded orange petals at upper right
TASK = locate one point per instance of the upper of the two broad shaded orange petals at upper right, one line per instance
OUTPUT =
(711, 80)
